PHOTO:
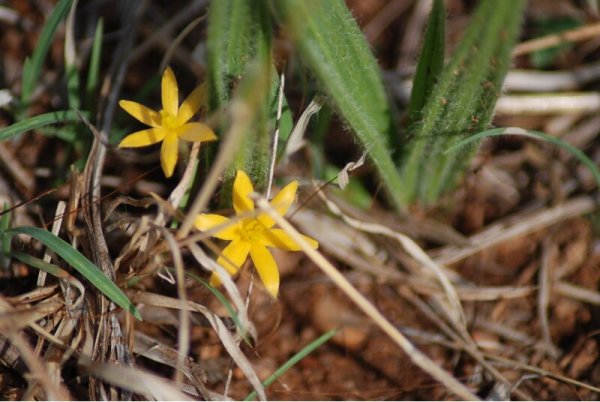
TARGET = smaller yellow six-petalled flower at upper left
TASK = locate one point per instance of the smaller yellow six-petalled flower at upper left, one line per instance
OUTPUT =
(169, 124)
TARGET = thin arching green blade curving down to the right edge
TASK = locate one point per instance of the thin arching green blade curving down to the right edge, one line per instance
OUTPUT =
(576, 152)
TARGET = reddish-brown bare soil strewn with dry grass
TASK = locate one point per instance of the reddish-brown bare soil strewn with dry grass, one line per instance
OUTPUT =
(518, 236)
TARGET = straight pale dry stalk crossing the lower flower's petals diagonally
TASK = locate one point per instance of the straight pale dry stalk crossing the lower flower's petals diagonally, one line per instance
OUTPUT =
(417, 357)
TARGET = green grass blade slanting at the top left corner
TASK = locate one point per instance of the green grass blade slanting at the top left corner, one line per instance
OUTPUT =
(33, 67)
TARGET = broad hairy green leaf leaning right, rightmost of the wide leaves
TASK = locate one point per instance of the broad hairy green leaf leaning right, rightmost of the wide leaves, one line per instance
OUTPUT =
(462, 102)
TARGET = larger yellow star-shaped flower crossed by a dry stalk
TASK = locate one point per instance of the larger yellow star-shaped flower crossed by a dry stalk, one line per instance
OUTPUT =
(252, 235)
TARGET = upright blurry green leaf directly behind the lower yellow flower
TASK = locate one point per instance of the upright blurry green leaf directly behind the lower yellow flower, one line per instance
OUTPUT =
(239, 31)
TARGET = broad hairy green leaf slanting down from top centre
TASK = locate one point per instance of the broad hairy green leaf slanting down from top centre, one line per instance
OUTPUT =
(336, 52)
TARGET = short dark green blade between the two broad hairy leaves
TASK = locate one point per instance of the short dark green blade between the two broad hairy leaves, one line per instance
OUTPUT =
(431, 61)
